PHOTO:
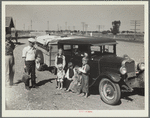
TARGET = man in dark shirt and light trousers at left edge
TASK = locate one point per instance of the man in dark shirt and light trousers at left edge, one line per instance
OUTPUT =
(9, 60)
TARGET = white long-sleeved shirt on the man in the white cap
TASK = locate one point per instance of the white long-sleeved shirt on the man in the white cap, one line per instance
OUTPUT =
(29, 53)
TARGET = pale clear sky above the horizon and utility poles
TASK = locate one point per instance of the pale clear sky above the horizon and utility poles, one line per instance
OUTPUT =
(74, 15)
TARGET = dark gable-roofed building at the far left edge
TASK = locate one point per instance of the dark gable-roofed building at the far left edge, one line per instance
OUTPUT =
(9, 24)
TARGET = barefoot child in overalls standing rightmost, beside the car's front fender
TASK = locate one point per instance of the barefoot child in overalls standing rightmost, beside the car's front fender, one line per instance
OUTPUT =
(85, 77)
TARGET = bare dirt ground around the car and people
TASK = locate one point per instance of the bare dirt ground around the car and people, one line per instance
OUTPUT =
(47, 97)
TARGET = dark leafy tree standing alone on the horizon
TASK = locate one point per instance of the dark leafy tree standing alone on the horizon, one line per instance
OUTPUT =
(115, 29)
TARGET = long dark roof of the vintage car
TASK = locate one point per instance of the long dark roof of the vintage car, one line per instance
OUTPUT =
(88, 40)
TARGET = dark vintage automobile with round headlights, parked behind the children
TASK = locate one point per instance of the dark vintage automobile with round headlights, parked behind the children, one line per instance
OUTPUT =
(110, 74)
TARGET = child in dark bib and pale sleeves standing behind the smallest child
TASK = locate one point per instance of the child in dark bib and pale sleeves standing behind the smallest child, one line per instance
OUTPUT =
(59, 59)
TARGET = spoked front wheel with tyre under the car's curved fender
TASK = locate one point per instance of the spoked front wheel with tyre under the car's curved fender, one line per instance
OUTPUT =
(109, 91)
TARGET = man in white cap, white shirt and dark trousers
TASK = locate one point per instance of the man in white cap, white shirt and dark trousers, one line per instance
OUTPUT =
(29, 55)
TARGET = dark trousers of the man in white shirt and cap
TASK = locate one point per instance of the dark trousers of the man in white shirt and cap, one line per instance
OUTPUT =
(30, 66)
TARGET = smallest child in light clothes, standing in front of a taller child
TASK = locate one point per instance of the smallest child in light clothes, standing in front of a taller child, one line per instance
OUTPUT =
(60, 76)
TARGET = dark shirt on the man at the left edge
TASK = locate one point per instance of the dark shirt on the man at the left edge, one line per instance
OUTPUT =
(9, 47)
